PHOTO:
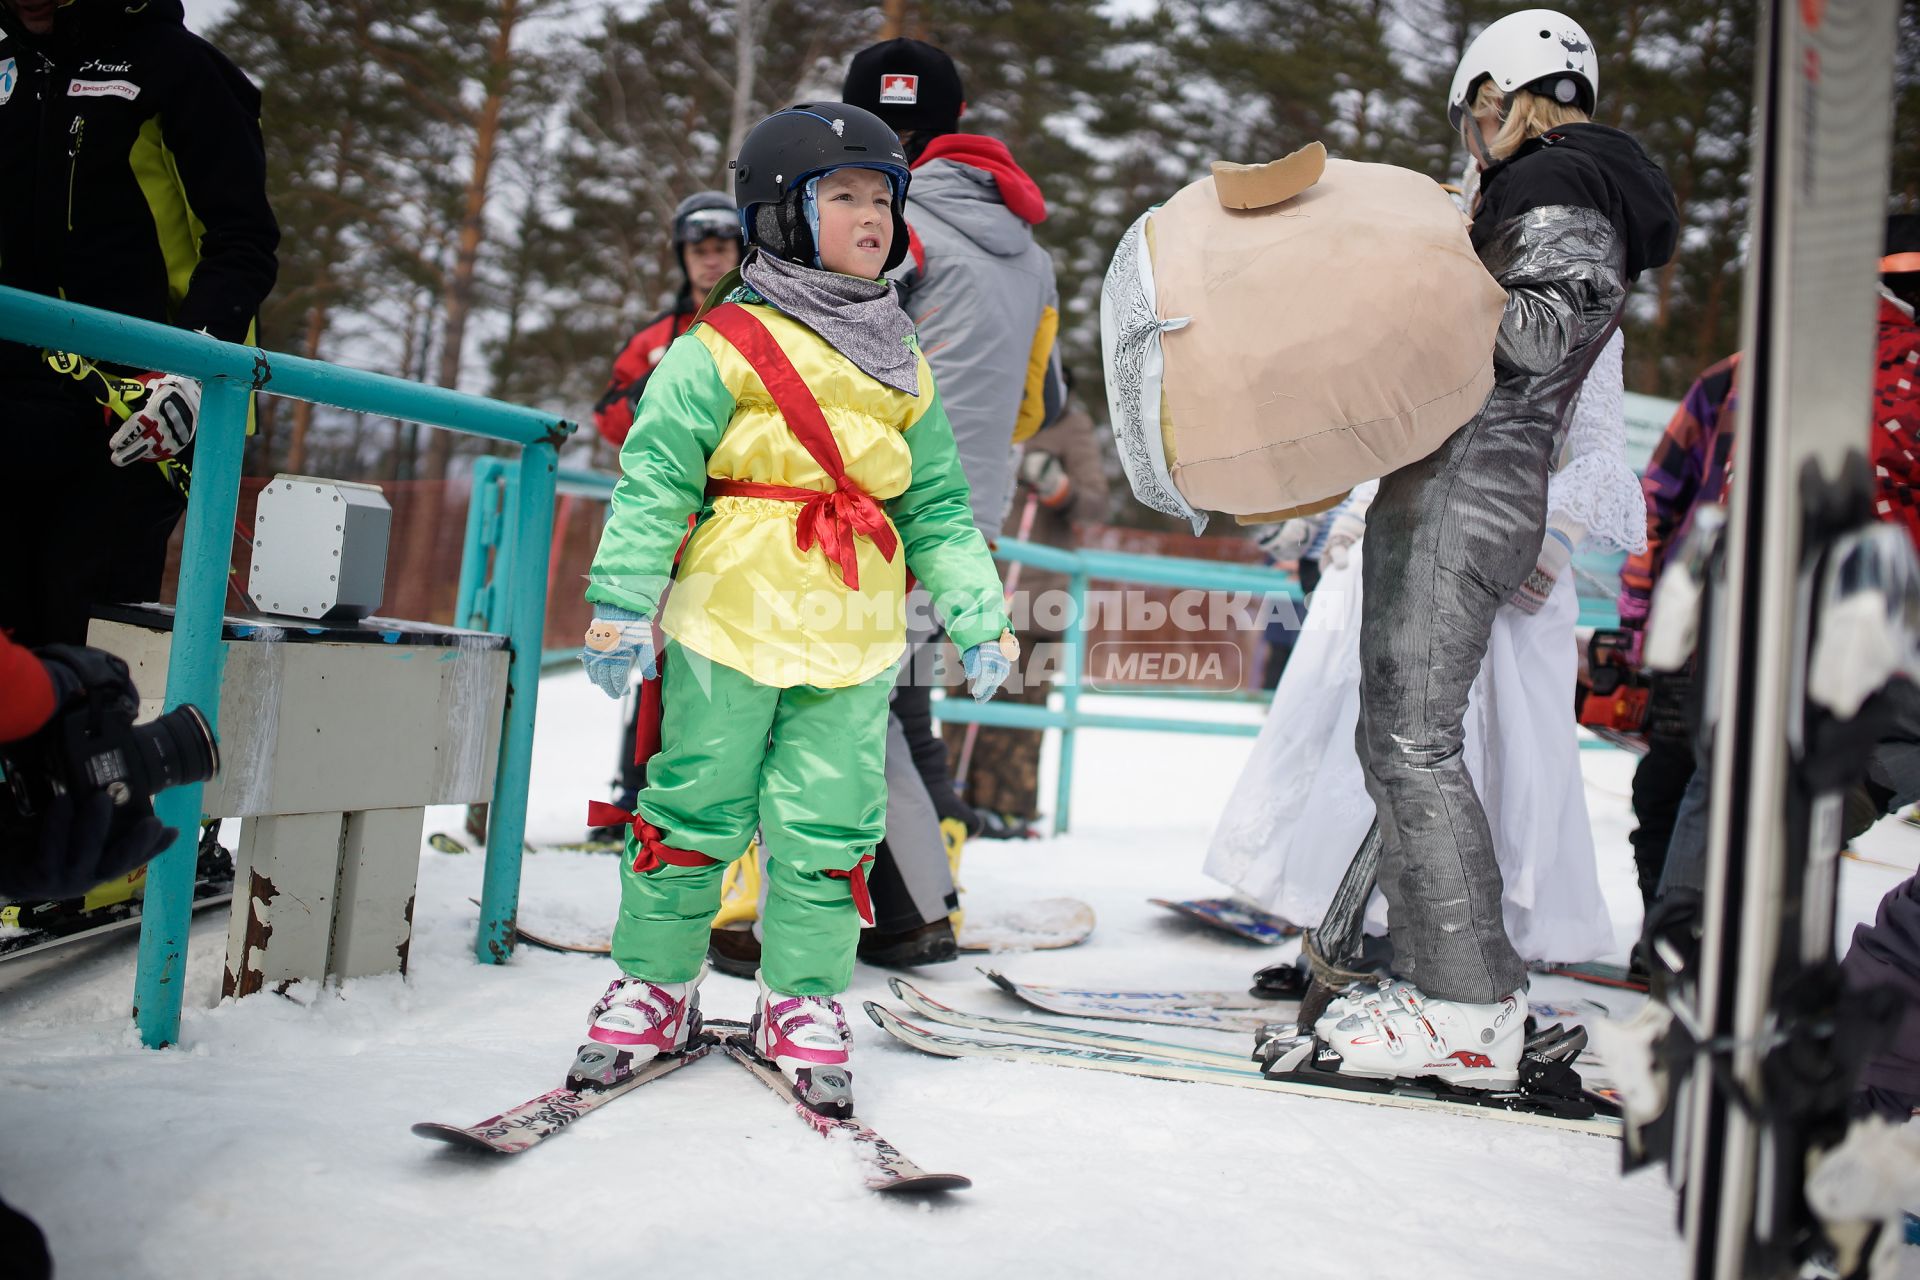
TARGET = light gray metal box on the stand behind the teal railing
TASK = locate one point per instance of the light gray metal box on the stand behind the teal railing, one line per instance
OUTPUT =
(320, 550)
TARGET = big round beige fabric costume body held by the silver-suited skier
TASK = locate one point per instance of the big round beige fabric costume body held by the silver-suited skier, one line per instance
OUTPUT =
(1332, 339)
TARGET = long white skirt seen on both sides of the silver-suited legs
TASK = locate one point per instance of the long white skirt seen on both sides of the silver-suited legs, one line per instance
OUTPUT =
(1301, 807)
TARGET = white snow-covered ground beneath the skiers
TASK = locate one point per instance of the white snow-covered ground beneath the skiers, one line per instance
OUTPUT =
(274, 1143)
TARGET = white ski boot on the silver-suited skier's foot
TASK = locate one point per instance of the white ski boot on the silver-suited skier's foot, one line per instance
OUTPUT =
(1395, 1031)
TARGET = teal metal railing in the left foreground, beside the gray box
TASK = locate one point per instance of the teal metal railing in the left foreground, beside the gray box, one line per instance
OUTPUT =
(231, 375)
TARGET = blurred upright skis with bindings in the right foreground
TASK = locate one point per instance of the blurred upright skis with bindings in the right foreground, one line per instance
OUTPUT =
(1752, 1043)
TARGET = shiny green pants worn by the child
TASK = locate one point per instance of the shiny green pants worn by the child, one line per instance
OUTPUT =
(807, 769)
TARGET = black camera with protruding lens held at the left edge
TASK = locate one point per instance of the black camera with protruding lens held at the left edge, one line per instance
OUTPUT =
(93, 744)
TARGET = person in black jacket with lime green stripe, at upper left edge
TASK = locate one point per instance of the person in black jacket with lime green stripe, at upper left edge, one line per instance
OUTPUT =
(133, 178)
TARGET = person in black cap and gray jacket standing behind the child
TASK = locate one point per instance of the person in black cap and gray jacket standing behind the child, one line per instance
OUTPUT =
(984, 300)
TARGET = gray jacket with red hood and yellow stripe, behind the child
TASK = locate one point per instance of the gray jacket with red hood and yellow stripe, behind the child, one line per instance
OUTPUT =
(984, 298)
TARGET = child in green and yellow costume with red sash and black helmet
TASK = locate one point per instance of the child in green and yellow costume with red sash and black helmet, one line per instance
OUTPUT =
(798, 431)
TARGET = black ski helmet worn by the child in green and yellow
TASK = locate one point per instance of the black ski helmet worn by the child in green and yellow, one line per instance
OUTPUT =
(802, 143)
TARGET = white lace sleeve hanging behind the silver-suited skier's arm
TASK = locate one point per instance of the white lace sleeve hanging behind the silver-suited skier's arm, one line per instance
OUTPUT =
(1595, 486)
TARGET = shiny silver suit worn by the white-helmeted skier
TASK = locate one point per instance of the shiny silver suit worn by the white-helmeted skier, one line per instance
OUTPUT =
(1449, 540)
